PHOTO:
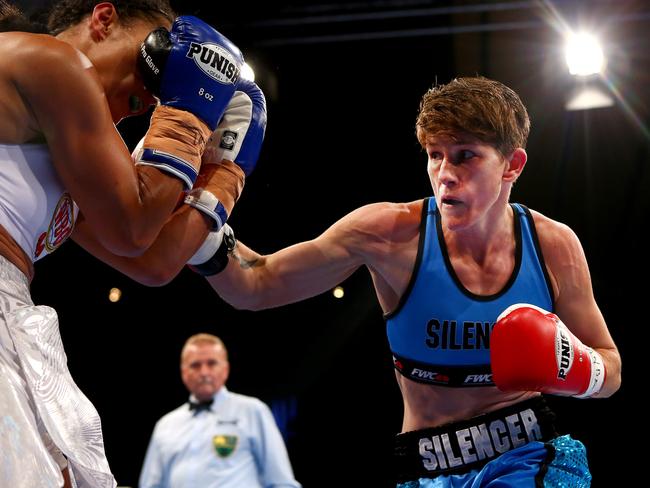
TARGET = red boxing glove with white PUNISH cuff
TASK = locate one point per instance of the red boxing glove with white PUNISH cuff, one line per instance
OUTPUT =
(532, 350)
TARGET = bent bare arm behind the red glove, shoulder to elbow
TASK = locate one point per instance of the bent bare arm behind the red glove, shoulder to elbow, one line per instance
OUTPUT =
(575, 302)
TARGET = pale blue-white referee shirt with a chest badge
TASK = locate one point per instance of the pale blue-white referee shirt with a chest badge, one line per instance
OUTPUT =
(234, 444)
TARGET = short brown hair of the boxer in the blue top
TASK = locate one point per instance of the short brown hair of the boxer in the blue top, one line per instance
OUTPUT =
(477, 106)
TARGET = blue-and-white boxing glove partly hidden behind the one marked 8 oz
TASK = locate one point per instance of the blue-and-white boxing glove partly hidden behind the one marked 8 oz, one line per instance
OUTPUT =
(235, 147)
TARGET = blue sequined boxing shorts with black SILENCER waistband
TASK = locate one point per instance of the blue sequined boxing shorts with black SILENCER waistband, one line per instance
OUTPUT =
(513, 447)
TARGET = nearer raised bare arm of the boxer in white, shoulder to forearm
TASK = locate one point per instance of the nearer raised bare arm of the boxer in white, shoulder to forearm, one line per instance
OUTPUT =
(126, 206)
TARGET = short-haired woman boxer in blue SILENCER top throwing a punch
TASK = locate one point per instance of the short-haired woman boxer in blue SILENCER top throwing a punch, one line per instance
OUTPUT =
(446, 270)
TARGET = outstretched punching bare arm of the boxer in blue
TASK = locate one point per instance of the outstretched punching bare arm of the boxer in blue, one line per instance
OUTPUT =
(253, 281)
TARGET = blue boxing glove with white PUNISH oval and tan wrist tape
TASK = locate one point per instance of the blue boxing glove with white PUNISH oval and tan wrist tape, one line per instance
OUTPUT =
(194, 71)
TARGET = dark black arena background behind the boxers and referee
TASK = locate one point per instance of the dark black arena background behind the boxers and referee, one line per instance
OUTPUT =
(343, 83)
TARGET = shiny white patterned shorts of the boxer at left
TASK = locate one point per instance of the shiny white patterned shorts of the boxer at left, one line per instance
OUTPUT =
(42, 411)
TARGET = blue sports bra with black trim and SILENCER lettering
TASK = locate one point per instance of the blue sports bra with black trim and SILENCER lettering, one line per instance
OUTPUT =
(440, 332)
